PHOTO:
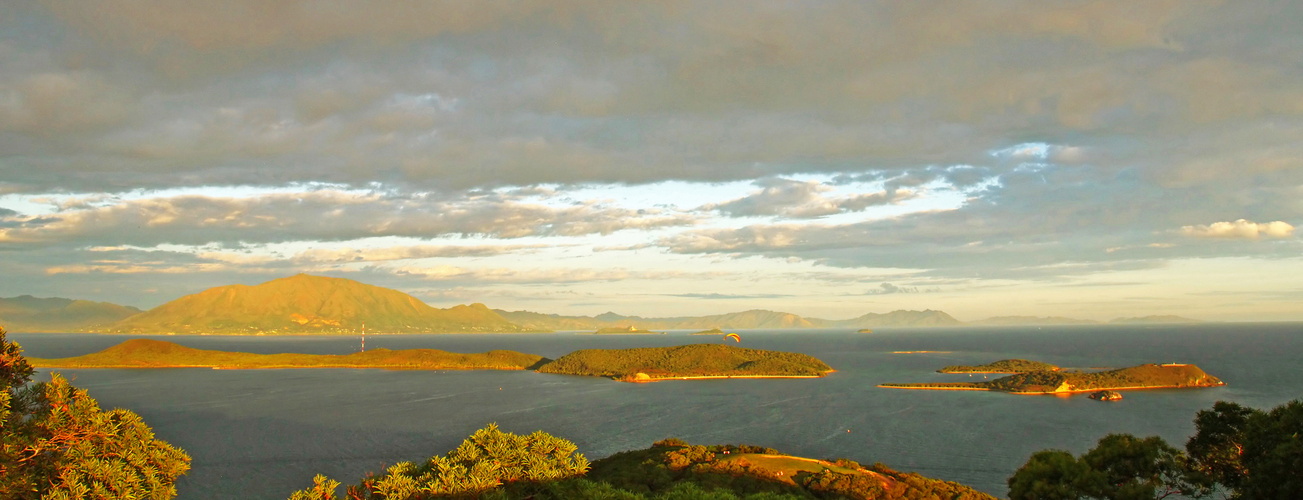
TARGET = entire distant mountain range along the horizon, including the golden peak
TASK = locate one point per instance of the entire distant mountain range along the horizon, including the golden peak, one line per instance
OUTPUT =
(306, 304)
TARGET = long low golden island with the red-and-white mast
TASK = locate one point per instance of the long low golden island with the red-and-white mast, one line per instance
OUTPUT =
(147, 354)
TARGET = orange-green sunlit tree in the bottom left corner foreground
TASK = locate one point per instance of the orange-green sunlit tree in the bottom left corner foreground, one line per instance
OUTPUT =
(57, 443)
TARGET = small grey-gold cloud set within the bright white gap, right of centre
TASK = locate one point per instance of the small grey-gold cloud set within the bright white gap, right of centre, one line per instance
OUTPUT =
(798, 200)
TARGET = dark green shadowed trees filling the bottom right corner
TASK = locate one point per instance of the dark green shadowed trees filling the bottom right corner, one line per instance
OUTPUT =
(1237, 452)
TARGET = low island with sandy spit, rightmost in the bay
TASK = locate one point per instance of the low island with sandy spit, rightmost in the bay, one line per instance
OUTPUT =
(1046, 382)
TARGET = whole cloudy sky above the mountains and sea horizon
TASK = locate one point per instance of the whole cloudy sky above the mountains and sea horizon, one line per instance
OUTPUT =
(1085, 160)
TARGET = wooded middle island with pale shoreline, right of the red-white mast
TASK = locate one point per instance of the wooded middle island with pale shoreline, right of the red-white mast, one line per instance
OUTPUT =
(686, 363)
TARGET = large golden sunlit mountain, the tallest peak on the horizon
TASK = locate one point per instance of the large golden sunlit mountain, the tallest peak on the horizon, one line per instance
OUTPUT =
(306, 304)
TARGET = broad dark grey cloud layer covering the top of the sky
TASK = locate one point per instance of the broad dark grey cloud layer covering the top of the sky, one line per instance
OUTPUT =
(126, 94)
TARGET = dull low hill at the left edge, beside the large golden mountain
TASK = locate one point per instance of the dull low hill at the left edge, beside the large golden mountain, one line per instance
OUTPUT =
(33, 314)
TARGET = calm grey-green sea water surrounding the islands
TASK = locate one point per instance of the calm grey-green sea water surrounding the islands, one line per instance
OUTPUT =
(261, 434)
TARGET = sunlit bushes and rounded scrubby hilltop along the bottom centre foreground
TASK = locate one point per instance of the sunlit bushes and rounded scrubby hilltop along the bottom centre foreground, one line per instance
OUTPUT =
(487, 467)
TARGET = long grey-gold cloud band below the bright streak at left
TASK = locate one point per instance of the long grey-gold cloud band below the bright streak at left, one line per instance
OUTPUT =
(325, 215)
